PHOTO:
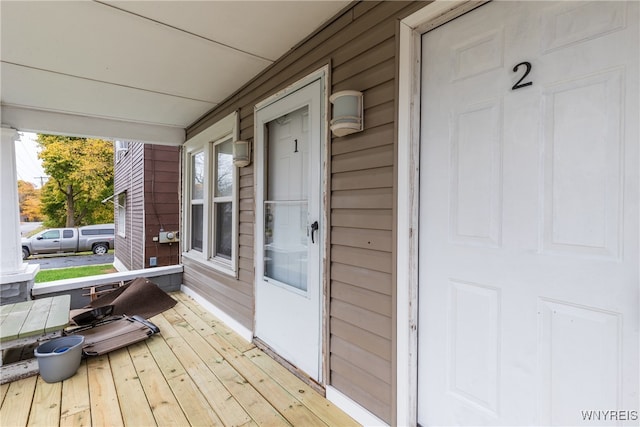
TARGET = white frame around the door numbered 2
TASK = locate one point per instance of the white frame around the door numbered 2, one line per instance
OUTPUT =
(411, 30)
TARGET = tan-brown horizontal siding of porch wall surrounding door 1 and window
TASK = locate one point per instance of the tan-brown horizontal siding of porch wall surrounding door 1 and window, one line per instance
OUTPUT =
(360, 45)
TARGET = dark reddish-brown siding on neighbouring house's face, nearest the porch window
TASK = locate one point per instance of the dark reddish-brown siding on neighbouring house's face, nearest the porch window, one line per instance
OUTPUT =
(161, 202)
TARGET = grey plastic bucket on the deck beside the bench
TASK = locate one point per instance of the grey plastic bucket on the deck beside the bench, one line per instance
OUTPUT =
(59, 358)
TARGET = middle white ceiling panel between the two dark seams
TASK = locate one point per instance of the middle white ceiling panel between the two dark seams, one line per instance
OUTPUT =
(108, 45)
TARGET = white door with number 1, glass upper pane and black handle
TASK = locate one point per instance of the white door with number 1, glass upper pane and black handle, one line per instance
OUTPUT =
(288, 221)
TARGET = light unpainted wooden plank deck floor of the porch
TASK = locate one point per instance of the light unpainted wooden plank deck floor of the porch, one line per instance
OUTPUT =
(195, 372)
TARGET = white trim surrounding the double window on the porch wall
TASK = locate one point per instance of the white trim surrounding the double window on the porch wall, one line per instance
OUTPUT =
(205, 141)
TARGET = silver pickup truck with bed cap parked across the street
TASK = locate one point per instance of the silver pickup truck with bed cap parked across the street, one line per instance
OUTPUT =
(96, 238)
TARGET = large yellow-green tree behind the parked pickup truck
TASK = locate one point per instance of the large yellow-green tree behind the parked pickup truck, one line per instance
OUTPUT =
(81, 176)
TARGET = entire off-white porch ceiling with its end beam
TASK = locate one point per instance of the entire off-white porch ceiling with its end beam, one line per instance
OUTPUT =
(141, 70)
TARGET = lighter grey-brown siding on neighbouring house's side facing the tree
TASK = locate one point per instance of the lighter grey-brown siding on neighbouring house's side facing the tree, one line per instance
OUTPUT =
(129, 177)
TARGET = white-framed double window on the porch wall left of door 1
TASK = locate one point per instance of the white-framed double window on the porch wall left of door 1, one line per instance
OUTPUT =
(211, 196)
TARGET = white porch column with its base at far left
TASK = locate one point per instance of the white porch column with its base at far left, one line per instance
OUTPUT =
(16, 277)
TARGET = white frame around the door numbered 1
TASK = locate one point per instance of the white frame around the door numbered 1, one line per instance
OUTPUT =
(323, 75)
